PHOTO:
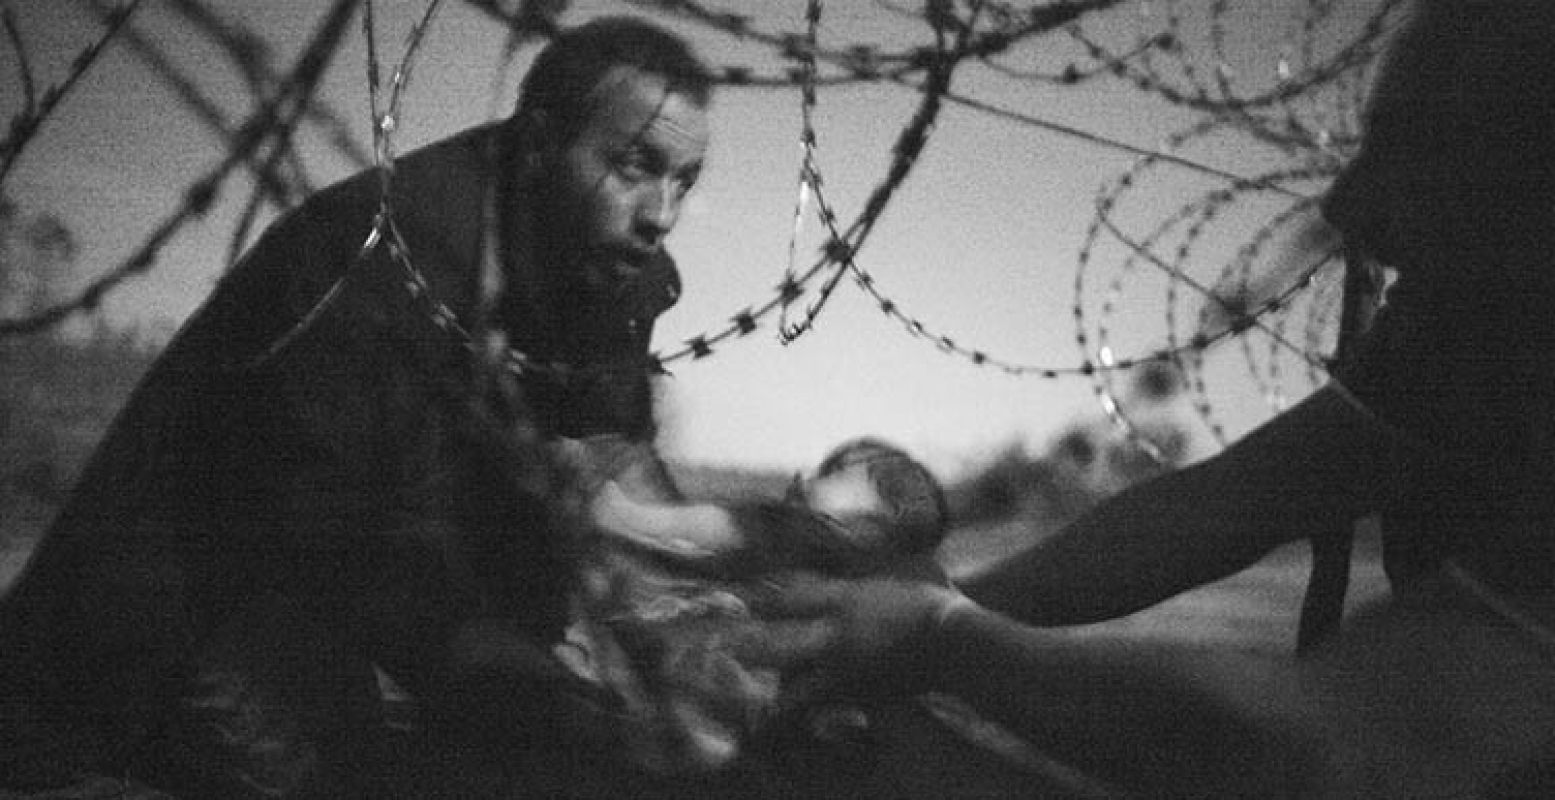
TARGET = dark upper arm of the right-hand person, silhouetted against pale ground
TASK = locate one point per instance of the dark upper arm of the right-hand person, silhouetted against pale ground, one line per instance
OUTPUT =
(1316, 468)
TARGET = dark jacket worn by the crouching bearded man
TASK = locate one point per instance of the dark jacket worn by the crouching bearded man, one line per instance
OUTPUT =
(369, 466)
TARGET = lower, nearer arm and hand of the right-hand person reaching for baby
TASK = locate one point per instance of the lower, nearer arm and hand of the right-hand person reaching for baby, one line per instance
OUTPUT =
(1151, 718)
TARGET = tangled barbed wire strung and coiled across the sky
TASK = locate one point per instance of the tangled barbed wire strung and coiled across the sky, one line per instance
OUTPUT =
(1310, 111)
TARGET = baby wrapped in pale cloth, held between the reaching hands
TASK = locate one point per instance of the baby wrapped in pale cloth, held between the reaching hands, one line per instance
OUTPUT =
(660, 609)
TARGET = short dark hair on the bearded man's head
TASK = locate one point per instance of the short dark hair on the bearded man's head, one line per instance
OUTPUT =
(578, 60)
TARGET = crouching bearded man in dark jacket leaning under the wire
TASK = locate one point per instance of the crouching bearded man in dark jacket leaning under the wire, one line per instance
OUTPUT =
(327, 472)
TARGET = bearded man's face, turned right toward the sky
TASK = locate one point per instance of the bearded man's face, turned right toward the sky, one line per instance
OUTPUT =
(617, 189)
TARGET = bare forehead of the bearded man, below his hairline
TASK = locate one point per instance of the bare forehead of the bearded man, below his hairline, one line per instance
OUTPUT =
(631, 104)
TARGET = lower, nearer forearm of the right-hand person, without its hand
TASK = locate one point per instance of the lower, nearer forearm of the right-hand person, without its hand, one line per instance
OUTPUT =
(1144, 717)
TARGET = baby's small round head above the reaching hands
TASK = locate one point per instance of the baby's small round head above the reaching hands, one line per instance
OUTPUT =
(881, 497)
